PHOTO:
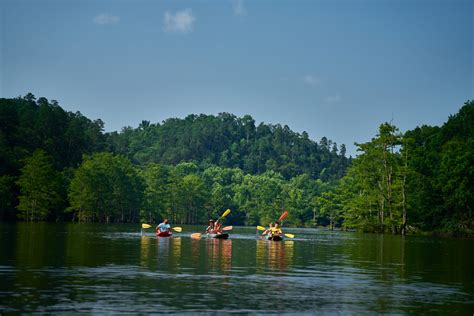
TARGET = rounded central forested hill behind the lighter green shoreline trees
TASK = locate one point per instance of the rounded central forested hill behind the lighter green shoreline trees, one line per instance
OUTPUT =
(233, 142)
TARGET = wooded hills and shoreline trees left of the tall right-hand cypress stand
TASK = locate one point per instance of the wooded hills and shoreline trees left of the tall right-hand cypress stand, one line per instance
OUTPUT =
(58, 165)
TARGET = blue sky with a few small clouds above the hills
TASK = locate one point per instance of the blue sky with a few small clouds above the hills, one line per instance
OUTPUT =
(335, 68)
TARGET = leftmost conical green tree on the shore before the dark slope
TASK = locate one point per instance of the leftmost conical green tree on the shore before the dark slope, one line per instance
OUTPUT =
(40, 187)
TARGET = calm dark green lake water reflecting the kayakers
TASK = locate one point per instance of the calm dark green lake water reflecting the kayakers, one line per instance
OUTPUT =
(56, 268)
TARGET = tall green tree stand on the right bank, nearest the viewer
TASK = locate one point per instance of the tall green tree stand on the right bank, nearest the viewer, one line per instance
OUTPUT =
(422, 179)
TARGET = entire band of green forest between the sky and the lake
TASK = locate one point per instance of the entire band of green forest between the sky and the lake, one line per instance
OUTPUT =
(59, 165)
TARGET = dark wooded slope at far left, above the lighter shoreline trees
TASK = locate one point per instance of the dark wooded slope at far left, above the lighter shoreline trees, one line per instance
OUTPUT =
(27, 124)
